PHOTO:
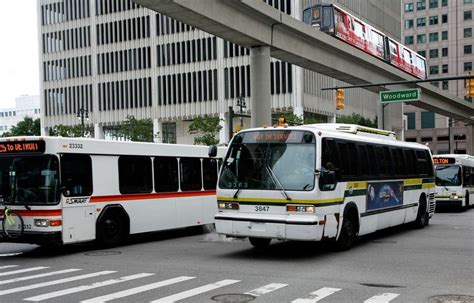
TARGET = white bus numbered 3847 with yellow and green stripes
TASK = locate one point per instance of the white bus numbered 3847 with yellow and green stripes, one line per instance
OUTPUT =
(322, 182)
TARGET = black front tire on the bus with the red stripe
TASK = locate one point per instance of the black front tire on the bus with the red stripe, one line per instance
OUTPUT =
(112, 227)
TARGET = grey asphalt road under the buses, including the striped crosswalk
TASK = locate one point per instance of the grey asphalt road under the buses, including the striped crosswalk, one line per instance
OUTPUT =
(395, 265)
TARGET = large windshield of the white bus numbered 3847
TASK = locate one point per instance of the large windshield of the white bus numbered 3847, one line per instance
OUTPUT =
(270, 160)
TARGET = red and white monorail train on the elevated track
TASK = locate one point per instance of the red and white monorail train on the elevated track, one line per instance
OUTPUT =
(337, 22)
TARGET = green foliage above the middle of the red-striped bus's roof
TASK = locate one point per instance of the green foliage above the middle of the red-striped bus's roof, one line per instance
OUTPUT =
(136, 129)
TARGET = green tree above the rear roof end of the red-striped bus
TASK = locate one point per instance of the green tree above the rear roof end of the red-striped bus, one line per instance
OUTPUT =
(206, 128)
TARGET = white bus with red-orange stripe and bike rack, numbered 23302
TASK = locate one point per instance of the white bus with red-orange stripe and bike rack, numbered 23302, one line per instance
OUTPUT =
(70, 190)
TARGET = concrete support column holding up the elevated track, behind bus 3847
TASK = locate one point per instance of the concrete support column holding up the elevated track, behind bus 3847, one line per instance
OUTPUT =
(261, 103)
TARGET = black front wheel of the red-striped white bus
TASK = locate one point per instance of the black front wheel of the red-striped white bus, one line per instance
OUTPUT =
(111, 229)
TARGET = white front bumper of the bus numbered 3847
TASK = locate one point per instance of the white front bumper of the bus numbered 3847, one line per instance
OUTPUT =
(290, 227)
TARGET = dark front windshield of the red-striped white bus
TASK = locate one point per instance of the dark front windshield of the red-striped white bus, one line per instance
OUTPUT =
(29, 180)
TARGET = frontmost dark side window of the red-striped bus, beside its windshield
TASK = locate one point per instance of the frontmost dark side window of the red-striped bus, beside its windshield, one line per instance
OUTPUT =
(76, 174)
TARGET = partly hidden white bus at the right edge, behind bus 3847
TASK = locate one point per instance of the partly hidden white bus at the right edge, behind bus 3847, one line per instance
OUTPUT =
(454, 178)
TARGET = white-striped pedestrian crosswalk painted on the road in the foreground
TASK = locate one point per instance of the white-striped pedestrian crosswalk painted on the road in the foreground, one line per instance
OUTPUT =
(41, 277)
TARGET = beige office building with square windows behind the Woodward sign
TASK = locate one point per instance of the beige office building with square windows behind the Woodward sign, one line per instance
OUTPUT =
(440, 30)
